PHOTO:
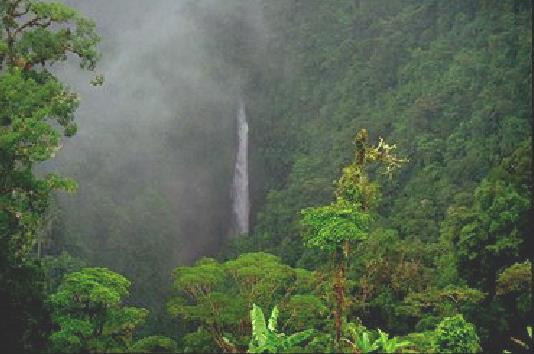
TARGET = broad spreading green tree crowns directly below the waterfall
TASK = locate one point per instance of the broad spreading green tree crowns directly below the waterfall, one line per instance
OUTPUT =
(215, 297)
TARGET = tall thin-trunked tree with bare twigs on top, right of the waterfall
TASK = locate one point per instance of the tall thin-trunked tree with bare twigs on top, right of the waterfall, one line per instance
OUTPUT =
(335, 226)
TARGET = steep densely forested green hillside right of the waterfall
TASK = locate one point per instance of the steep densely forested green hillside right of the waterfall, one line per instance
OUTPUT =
(450, 84)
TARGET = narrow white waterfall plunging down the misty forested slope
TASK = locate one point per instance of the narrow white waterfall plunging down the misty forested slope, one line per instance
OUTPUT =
(240, 193)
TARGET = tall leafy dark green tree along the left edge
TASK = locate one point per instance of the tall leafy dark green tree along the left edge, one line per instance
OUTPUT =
(33, 105)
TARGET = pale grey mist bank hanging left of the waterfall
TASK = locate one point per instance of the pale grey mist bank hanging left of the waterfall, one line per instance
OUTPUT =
(155, 149)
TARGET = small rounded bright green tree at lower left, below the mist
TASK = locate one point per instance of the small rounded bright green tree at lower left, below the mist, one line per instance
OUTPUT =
(88, 311)
